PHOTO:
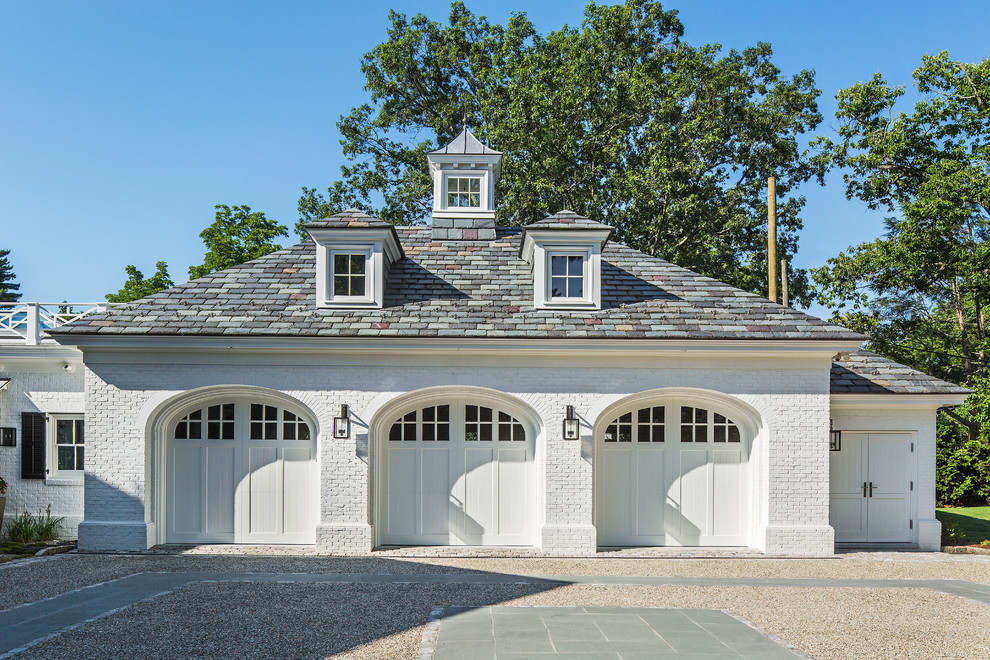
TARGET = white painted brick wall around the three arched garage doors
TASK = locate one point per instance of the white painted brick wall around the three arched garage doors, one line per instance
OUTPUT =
(790, 477)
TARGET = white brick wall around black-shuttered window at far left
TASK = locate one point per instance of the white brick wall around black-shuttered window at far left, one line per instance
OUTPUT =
(39, 385)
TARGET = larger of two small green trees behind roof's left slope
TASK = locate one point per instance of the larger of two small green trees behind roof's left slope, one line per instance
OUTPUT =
(237, 235)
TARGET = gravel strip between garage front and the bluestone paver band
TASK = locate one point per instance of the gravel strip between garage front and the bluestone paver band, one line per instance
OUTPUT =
(31, 580)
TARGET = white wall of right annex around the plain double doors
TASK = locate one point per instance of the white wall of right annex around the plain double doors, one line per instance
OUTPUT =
(853, 414)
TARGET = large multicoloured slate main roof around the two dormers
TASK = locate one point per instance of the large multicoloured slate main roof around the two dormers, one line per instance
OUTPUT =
(460, 289)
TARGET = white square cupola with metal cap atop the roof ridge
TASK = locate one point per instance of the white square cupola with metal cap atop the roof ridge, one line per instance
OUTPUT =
(464, 176)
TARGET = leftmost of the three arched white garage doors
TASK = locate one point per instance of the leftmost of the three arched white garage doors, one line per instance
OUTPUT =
(241, 471)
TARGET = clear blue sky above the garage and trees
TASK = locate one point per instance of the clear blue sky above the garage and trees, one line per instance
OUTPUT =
(122, 123)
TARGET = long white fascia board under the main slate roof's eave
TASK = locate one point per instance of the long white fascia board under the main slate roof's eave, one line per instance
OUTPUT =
(825, 349)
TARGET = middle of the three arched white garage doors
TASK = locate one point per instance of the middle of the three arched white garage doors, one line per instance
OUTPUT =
(457, 473)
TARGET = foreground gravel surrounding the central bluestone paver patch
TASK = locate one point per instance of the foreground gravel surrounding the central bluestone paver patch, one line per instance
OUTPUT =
(385, 621)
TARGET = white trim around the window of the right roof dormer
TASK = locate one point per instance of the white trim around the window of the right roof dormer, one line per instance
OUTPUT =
(539, 248)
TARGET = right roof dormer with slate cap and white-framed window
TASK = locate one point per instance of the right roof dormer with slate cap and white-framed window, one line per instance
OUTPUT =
(566, 252)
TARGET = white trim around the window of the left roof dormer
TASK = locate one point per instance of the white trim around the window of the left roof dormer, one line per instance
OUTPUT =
(380, 249)
